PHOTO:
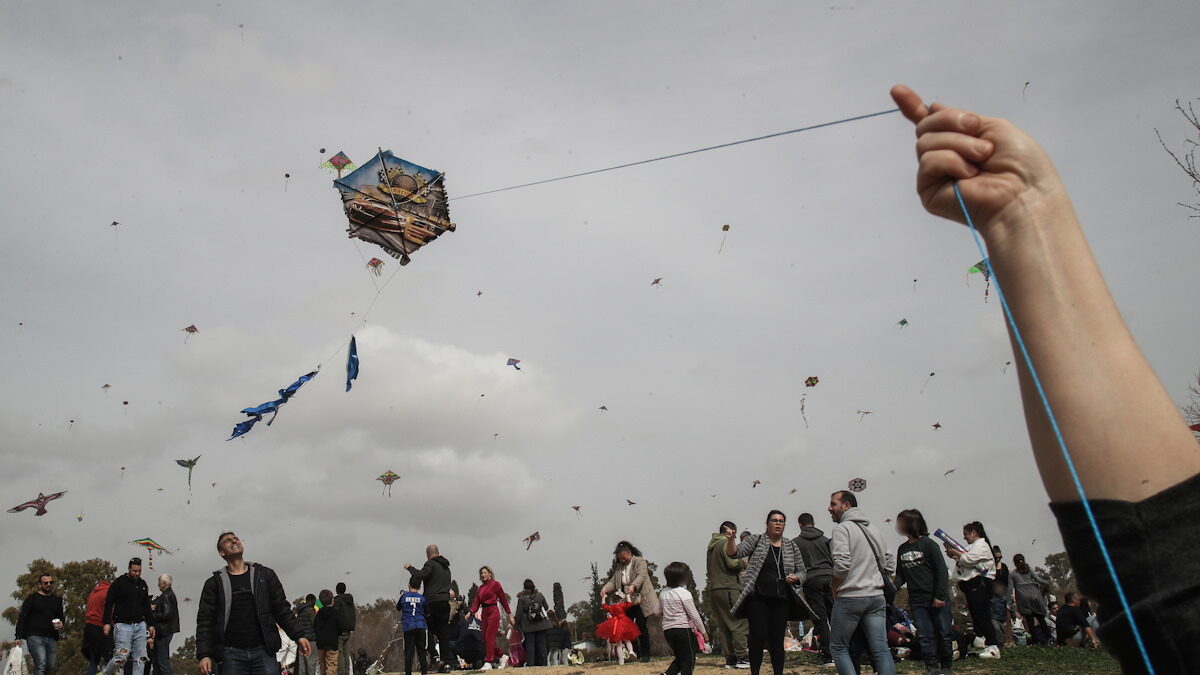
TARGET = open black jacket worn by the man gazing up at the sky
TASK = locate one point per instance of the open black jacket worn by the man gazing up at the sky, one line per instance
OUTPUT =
(271, 601)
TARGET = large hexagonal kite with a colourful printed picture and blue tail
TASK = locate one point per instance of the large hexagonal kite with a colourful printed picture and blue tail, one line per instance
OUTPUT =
(395, 205)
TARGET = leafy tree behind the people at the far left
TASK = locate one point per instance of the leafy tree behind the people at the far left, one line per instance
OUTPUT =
(75, 583)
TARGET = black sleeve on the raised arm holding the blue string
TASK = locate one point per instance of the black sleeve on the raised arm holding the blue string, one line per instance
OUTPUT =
(1157, 557)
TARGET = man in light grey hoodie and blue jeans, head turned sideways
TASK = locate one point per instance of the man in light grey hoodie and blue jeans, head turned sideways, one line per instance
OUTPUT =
(860, 561)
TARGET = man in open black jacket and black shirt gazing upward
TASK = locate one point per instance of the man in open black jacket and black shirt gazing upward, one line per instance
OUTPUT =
(241, 607)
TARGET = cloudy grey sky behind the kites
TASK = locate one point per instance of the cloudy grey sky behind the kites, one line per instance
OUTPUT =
(179, 121)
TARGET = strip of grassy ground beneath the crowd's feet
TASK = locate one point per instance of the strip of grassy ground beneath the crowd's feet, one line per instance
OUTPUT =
(1023, 661)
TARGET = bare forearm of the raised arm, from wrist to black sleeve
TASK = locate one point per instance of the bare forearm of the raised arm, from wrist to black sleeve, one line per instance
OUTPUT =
(1108, 402)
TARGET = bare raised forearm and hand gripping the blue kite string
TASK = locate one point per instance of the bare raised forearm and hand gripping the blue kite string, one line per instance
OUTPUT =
(1123, 429)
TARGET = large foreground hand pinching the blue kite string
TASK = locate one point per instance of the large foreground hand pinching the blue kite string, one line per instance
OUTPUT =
(999, 168)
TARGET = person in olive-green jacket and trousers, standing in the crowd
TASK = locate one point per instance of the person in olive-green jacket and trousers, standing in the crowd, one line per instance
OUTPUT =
(724, 586)
